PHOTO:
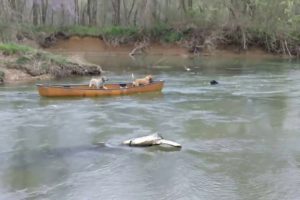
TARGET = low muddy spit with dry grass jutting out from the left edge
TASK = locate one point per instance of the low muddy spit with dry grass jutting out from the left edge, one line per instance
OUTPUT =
(39, 65)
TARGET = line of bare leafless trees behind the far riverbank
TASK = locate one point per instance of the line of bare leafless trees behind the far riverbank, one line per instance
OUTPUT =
(273, 24)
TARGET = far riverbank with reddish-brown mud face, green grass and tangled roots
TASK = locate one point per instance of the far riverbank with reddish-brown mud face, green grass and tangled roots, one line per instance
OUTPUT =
(181, 40)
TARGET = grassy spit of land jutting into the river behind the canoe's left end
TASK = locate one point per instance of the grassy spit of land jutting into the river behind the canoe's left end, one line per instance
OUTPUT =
(36, 63)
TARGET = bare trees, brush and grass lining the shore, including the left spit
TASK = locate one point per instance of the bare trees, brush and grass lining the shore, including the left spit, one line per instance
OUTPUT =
(196, 27)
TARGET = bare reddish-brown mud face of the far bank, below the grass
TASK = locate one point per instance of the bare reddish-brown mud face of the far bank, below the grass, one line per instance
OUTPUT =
(95, 44)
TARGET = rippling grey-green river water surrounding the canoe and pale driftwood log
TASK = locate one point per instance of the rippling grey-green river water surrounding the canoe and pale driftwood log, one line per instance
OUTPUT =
(240, 138)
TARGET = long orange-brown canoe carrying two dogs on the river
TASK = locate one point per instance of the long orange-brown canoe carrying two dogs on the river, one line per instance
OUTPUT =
(83, 90)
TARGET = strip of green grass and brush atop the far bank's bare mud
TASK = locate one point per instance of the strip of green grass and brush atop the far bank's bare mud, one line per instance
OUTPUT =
(194, 39)
